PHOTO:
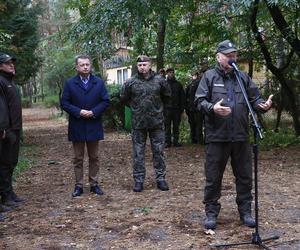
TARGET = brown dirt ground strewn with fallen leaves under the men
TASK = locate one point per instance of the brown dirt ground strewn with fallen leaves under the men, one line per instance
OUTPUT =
(122, 219)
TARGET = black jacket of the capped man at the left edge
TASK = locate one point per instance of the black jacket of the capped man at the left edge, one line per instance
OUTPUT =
(13, 100)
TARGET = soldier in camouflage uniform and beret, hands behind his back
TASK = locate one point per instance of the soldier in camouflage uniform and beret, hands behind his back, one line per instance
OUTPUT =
(145, 93)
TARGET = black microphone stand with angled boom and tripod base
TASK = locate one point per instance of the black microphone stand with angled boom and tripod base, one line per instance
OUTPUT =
(256, 239)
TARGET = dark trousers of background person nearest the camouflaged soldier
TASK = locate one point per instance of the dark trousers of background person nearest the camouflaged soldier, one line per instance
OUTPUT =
(172, 122)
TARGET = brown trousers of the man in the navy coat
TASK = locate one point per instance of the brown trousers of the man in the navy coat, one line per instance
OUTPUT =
(92, 150)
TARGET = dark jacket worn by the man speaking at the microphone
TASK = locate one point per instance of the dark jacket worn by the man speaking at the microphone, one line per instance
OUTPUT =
(214, 86)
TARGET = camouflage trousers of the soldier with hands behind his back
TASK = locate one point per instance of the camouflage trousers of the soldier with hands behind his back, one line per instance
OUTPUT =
(157, 140)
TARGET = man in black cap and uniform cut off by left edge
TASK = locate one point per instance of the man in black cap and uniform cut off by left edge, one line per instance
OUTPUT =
(10, 145)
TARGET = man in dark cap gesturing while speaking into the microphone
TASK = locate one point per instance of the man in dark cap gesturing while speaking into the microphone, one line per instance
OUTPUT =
(226, 132)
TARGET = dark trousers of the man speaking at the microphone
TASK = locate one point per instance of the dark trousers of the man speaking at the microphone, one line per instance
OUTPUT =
(217, 155)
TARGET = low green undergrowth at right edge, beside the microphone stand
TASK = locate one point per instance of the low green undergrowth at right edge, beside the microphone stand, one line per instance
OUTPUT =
(283, 138)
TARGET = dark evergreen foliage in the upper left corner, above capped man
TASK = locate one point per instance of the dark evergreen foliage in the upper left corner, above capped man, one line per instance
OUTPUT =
(19, 29)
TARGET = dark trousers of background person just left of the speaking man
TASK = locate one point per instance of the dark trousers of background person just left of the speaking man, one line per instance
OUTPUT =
(195, 119)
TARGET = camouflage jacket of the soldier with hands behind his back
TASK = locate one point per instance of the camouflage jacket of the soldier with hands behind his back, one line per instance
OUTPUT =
(146, 98)
